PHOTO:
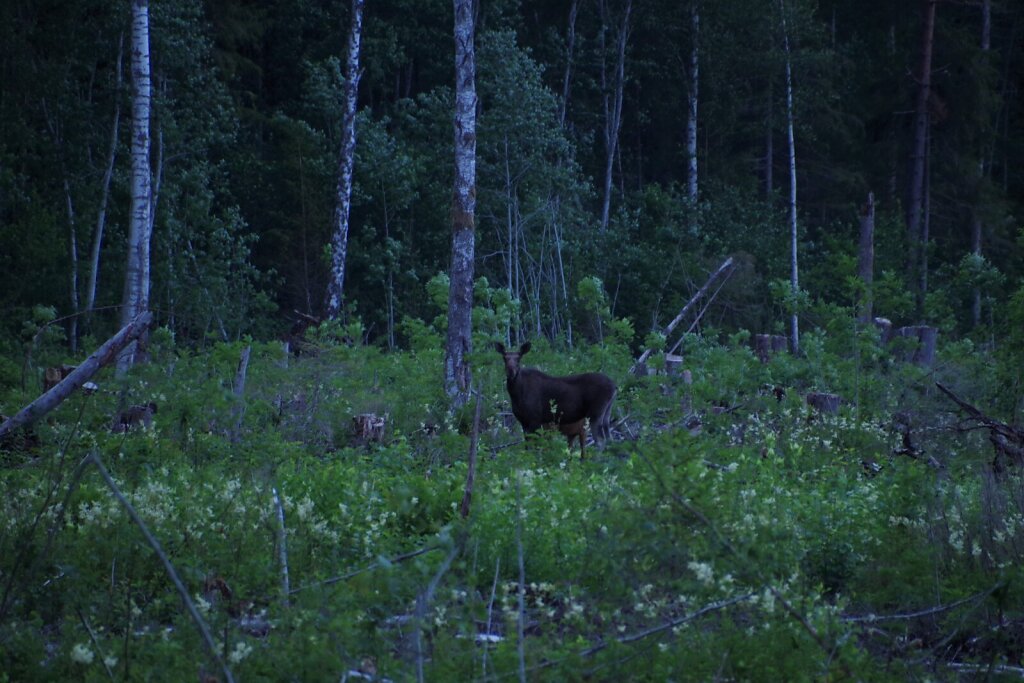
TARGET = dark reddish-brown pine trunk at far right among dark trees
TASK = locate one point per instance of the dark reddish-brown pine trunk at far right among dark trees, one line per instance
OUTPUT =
(916, 201)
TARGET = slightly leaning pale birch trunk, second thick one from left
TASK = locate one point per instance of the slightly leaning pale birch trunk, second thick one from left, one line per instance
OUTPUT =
(339, 241)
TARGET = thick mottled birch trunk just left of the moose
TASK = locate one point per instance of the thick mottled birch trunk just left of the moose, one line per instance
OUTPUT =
(460, 333)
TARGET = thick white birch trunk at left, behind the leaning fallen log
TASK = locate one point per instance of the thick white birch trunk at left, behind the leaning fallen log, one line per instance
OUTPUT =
(137, 290)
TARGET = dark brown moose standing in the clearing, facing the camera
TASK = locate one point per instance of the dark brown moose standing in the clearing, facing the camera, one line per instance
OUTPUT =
(566, 403)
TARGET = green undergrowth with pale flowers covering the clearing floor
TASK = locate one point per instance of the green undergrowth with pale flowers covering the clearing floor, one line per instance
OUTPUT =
(729, 532)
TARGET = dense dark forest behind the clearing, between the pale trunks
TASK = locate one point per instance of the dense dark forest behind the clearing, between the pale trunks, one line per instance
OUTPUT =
(246, 139)
